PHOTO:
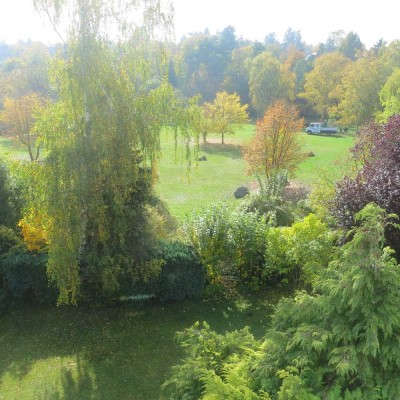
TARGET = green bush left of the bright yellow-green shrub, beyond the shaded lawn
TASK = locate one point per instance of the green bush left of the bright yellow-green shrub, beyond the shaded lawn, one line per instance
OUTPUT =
(228, 243)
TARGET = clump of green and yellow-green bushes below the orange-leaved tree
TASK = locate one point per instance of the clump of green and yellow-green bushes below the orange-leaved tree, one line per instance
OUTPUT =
(246, 246)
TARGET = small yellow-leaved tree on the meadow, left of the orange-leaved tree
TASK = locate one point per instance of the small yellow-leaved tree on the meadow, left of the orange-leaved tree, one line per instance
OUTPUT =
(225, 114)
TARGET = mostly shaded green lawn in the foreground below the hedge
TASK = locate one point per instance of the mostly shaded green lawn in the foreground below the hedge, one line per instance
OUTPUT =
(116, 353)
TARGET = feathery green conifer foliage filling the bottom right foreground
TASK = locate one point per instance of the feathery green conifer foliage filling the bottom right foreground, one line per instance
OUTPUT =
(338, 343)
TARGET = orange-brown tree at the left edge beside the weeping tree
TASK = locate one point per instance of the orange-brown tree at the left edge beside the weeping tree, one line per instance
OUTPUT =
(19, 117)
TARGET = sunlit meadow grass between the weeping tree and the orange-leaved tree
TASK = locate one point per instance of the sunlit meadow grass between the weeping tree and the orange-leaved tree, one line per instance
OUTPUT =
(208, 181)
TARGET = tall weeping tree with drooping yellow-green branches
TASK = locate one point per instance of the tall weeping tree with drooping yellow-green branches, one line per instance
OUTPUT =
(102, 138)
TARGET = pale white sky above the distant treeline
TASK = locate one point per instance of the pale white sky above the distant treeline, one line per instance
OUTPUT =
(252, 19)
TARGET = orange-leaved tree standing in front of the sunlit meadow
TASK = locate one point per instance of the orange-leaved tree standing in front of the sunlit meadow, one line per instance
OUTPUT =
(275, 147)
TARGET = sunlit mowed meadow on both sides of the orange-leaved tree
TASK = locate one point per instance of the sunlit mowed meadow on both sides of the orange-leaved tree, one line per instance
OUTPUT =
(217, 178)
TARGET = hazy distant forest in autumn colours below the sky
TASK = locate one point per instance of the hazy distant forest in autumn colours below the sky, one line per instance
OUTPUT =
(337, 81)
